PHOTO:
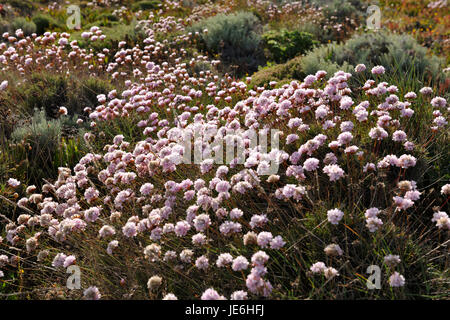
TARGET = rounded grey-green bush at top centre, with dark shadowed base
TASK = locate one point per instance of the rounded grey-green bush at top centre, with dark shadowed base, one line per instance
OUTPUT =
(235, 37)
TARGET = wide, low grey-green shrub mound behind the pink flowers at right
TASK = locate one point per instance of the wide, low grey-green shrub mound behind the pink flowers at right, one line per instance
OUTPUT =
(399, 54)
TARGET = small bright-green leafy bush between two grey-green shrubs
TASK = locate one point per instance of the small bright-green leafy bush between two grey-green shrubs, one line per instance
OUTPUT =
(284, 45)
